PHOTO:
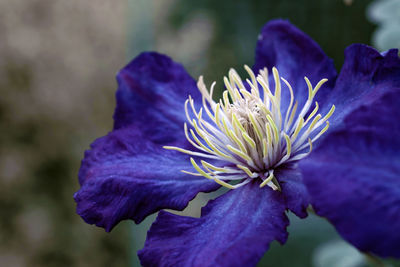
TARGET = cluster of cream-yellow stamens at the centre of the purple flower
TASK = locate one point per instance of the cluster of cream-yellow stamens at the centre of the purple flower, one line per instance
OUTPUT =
(245, 135)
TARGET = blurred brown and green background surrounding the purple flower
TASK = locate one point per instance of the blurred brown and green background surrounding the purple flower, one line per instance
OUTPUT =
(58, 61)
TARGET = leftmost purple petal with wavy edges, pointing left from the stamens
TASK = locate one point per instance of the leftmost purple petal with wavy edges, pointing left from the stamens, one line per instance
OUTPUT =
(125, 176)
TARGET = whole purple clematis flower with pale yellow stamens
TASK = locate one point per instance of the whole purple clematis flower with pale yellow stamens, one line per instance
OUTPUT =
(172, 140)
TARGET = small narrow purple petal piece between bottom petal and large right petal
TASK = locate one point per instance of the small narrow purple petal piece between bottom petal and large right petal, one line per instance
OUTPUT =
(294, 191)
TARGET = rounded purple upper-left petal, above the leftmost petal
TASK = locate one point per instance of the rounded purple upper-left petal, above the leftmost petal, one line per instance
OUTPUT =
(151, 96)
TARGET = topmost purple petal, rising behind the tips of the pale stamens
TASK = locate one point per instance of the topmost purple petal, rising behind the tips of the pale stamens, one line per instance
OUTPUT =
(295, 55)
